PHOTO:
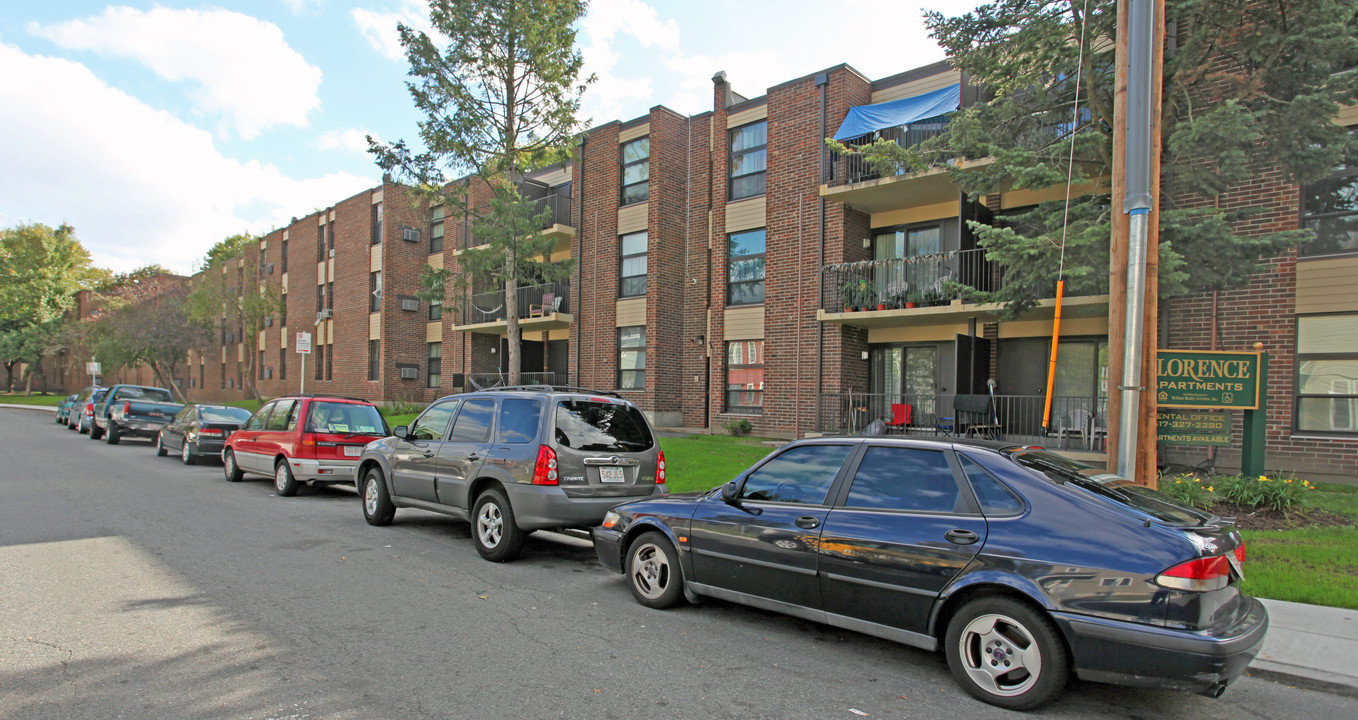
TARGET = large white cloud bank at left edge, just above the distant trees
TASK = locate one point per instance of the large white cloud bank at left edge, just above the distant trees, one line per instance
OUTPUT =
(138, 184)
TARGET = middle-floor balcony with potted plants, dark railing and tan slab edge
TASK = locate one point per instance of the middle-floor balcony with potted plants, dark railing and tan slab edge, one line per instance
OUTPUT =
(927, 290)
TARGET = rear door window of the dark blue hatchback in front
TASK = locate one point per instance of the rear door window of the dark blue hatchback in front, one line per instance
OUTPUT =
(904, 479)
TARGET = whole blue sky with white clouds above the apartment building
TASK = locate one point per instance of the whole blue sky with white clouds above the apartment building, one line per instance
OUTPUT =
(158, 128)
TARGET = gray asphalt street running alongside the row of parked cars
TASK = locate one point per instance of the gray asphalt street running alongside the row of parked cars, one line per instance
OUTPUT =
(132, 586)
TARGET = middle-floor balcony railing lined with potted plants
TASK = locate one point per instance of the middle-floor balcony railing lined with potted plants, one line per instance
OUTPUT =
(924, 282)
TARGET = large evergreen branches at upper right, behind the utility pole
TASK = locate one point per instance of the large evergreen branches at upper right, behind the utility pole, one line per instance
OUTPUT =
(1247, 88)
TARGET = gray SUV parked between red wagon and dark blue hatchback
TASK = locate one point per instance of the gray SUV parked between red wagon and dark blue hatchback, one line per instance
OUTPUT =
(515, 460)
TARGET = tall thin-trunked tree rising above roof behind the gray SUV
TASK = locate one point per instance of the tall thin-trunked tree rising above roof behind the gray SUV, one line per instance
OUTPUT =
(499, 92)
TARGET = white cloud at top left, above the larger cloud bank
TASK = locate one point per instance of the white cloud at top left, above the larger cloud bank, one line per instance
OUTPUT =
(242, 66)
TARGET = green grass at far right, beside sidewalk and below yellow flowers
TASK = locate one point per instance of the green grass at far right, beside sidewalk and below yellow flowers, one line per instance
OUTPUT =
(1317, 566)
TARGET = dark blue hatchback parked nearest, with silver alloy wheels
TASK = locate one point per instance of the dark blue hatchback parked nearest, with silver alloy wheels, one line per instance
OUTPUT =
(1021, 564)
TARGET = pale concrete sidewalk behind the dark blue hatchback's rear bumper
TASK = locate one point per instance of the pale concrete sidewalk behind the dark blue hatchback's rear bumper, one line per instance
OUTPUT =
(1310, 646)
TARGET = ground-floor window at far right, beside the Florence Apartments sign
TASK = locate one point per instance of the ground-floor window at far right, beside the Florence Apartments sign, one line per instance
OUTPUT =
(1327, 374)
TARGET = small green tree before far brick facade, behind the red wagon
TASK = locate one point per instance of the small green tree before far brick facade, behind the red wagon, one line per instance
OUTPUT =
(230, 295)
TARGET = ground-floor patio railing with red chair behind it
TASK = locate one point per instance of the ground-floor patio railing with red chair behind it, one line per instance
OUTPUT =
(1076, 422)
